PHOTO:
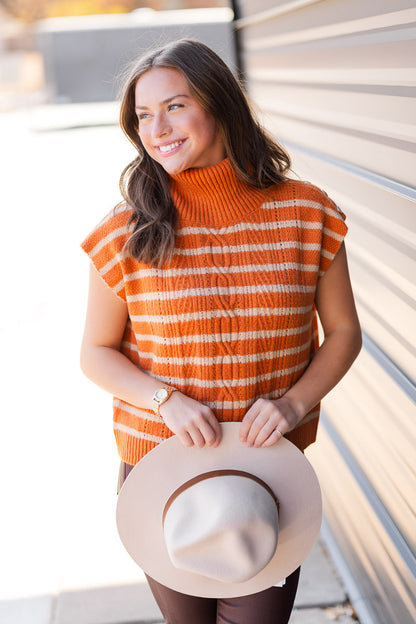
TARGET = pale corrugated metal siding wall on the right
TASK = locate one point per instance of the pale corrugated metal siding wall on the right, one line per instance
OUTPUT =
(335, 81)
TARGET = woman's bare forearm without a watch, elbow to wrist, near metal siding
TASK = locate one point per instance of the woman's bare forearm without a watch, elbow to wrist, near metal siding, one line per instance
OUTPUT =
(330, 363)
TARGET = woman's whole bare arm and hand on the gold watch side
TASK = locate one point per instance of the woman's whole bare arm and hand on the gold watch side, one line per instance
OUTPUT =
(105, 365)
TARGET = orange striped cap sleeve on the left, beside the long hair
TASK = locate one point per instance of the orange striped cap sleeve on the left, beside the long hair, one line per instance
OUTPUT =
(105, 248)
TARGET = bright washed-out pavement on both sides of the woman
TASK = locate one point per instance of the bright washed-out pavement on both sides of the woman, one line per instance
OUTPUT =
(61, 560)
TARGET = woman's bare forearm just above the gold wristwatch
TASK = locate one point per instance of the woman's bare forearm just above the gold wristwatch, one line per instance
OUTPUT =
(115, 373)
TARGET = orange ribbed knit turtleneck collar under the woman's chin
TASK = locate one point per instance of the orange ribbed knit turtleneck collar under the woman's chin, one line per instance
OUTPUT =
(213, 195)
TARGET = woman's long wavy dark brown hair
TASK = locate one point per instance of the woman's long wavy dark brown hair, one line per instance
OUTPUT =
(255, 157)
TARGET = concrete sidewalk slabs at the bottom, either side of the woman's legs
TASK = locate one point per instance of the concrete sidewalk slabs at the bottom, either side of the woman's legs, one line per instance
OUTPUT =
(321, 599)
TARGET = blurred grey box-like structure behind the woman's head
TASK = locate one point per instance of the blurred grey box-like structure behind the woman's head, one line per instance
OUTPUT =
(85, 57)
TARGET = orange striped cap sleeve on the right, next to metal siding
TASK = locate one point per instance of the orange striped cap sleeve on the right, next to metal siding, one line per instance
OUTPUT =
(333, 232)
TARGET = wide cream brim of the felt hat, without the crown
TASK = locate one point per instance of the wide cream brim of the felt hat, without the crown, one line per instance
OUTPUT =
(164, 469)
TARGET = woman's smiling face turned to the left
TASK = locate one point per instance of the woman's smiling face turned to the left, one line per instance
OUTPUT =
(173, 127)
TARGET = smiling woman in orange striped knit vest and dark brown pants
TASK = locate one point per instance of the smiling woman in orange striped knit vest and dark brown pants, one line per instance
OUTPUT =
(205, 287)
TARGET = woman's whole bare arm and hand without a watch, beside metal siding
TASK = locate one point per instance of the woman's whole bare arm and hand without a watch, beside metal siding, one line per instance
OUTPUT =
(266, 421)
